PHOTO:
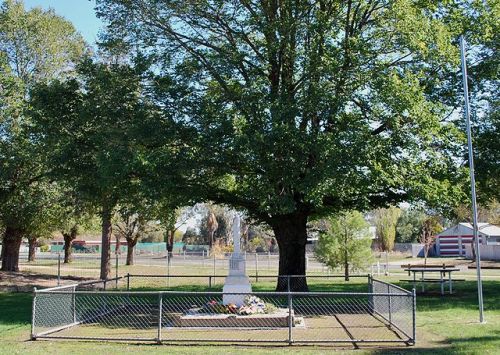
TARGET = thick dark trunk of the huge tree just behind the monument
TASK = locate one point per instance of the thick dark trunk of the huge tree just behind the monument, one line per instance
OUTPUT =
(291, 234)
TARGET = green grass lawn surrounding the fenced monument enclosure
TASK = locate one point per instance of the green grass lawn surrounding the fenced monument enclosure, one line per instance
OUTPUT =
(445, 325)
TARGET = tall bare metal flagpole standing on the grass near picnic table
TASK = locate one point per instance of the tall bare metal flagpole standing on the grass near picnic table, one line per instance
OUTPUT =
(472, 180)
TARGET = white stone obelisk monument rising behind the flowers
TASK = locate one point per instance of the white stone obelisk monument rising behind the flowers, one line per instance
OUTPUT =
(237, 280)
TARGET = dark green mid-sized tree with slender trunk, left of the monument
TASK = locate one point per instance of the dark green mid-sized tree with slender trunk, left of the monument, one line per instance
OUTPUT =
(92, 130)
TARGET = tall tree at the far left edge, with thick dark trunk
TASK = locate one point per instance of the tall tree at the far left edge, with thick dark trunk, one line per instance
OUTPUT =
(35, 46)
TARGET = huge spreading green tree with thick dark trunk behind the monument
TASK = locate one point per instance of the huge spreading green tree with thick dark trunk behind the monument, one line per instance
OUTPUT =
(292, 109)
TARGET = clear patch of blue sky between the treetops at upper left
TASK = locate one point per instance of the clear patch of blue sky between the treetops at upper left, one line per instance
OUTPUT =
(80, 12)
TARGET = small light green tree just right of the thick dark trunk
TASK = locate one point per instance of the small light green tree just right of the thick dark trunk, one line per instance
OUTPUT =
(346, 243)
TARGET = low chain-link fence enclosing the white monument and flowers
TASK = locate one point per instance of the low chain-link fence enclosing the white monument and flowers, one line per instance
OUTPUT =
(387, 314)
